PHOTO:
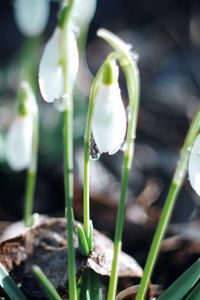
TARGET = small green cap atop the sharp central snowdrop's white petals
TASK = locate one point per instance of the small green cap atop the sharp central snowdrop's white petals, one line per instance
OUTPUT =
(110, 73)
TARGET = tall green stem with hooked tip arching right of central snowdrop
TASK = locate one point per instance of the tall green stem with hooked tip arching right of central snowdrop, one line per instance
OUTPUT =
(129, 67)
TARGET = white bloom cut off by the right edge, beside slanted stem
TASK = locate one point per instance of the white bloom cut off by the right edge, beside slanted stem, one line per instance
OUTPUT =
(194, 166)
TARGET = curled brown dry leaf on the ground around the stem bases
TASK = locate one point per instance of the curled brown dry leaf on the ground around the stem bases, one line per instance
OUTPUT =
(45, 245)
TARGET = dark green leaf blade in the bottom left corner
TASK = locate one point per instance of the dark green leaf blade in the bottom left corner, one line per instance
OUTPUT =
(9, 286)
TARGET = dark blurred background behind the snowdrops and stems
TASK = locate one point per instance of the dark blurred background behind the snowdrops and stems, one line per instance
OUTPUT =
(166, 35)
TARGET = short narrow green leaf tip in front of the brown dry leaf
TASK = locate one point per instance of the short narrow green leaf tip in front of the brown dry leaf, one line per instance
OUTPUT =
(45, 284)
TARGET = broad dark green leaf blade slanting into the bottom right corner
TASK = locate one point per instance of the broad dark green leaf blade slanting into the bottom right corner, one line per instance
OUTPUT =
(183, 284)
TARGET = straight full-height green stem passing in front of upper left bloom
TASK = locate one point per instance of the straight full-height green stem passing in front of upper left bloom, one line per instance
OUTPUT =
(68, 153)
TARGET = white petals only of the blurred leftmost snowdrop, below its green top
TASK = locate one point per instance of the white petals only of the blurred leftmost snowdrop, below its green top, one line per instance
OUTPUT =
(19, 143)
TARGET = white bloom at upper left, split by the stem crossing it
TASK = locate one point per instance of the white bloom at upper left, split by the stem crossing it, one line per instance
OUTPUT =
(51, 79)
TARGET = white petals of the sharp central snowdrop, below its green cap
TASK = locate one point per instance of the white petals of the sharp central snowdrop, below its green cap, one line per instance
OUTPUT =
(109, 119)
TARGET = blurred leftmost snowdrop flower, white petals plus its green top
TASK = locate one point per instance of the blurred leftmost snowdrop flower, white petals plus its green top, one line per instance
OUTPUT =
(20, 134)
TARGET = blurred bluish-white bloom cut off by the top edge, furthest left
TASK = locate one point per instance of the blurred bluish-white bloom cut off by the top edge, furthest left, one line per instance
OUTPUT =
(31, 16)
